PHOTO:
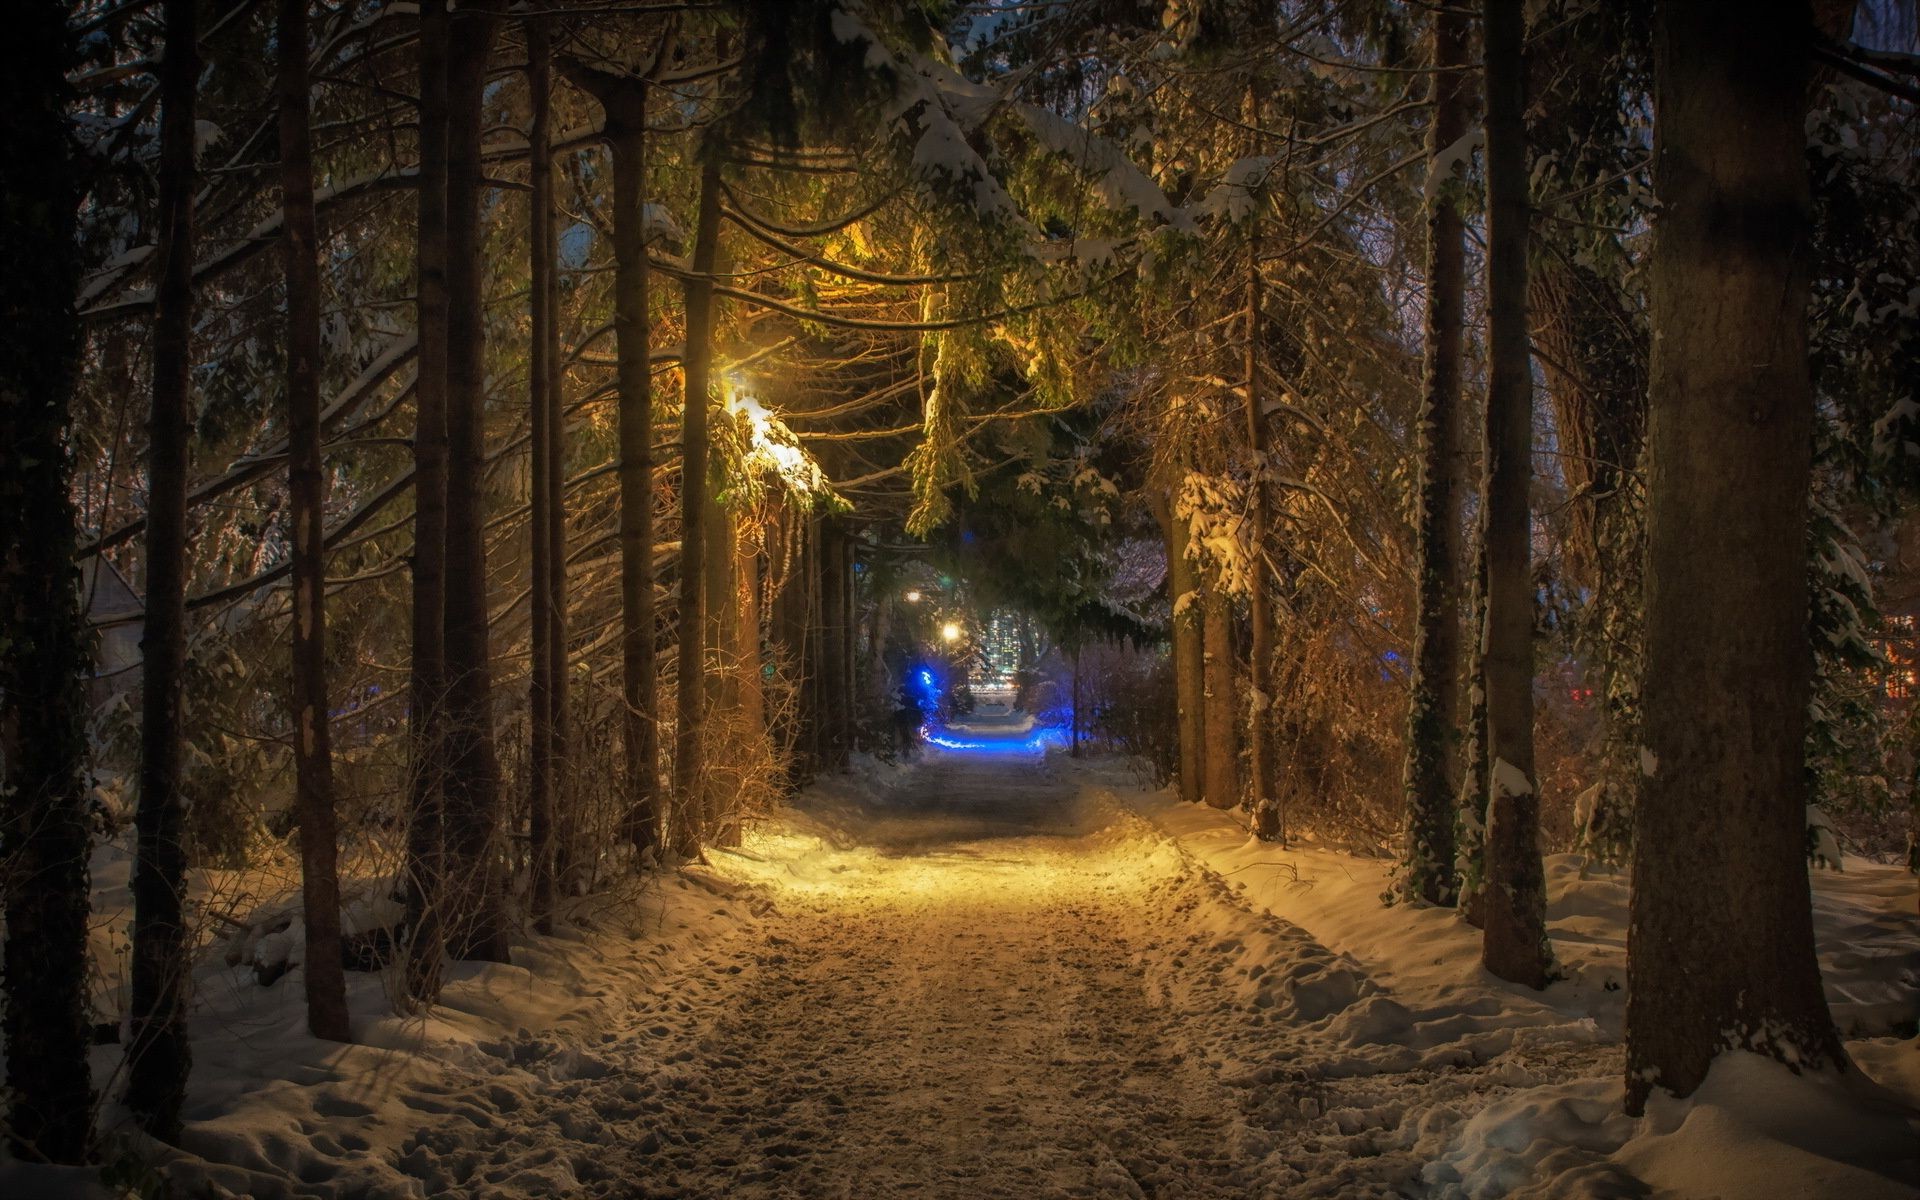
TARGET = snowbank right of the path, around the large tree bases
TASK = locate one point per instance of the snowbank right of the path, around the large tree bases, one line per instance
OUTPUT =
(1752, 1130)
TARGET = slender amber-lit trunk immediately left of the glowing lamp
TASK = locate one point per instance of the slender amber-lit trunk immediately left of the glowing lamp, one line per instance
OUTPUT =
(690, 819)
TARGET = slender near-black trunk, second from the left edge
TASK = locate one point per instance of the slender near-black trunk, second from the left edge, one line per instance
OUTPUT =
(160, 1057)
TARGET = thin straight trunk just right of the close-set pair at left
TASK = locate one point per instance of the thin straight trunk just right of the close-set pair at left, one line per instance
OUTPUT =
(546, 452)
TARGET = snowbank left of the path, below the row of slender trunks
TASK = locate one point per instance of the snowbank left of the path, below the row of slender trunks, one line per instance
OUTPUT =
(277, 1113)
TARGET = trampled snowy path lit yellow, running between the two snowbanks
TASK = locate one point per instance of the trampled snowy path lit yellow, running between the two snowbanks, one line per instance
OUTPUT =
(986, 984)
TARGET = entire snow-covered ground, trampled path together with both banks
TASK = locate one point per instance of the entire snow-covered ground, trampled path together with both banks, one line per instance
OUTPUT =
(1001, 974)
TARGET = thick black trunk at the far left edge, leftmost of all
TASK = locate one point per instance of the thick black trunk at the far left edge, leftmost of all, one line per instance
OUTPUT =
(43, 640)
